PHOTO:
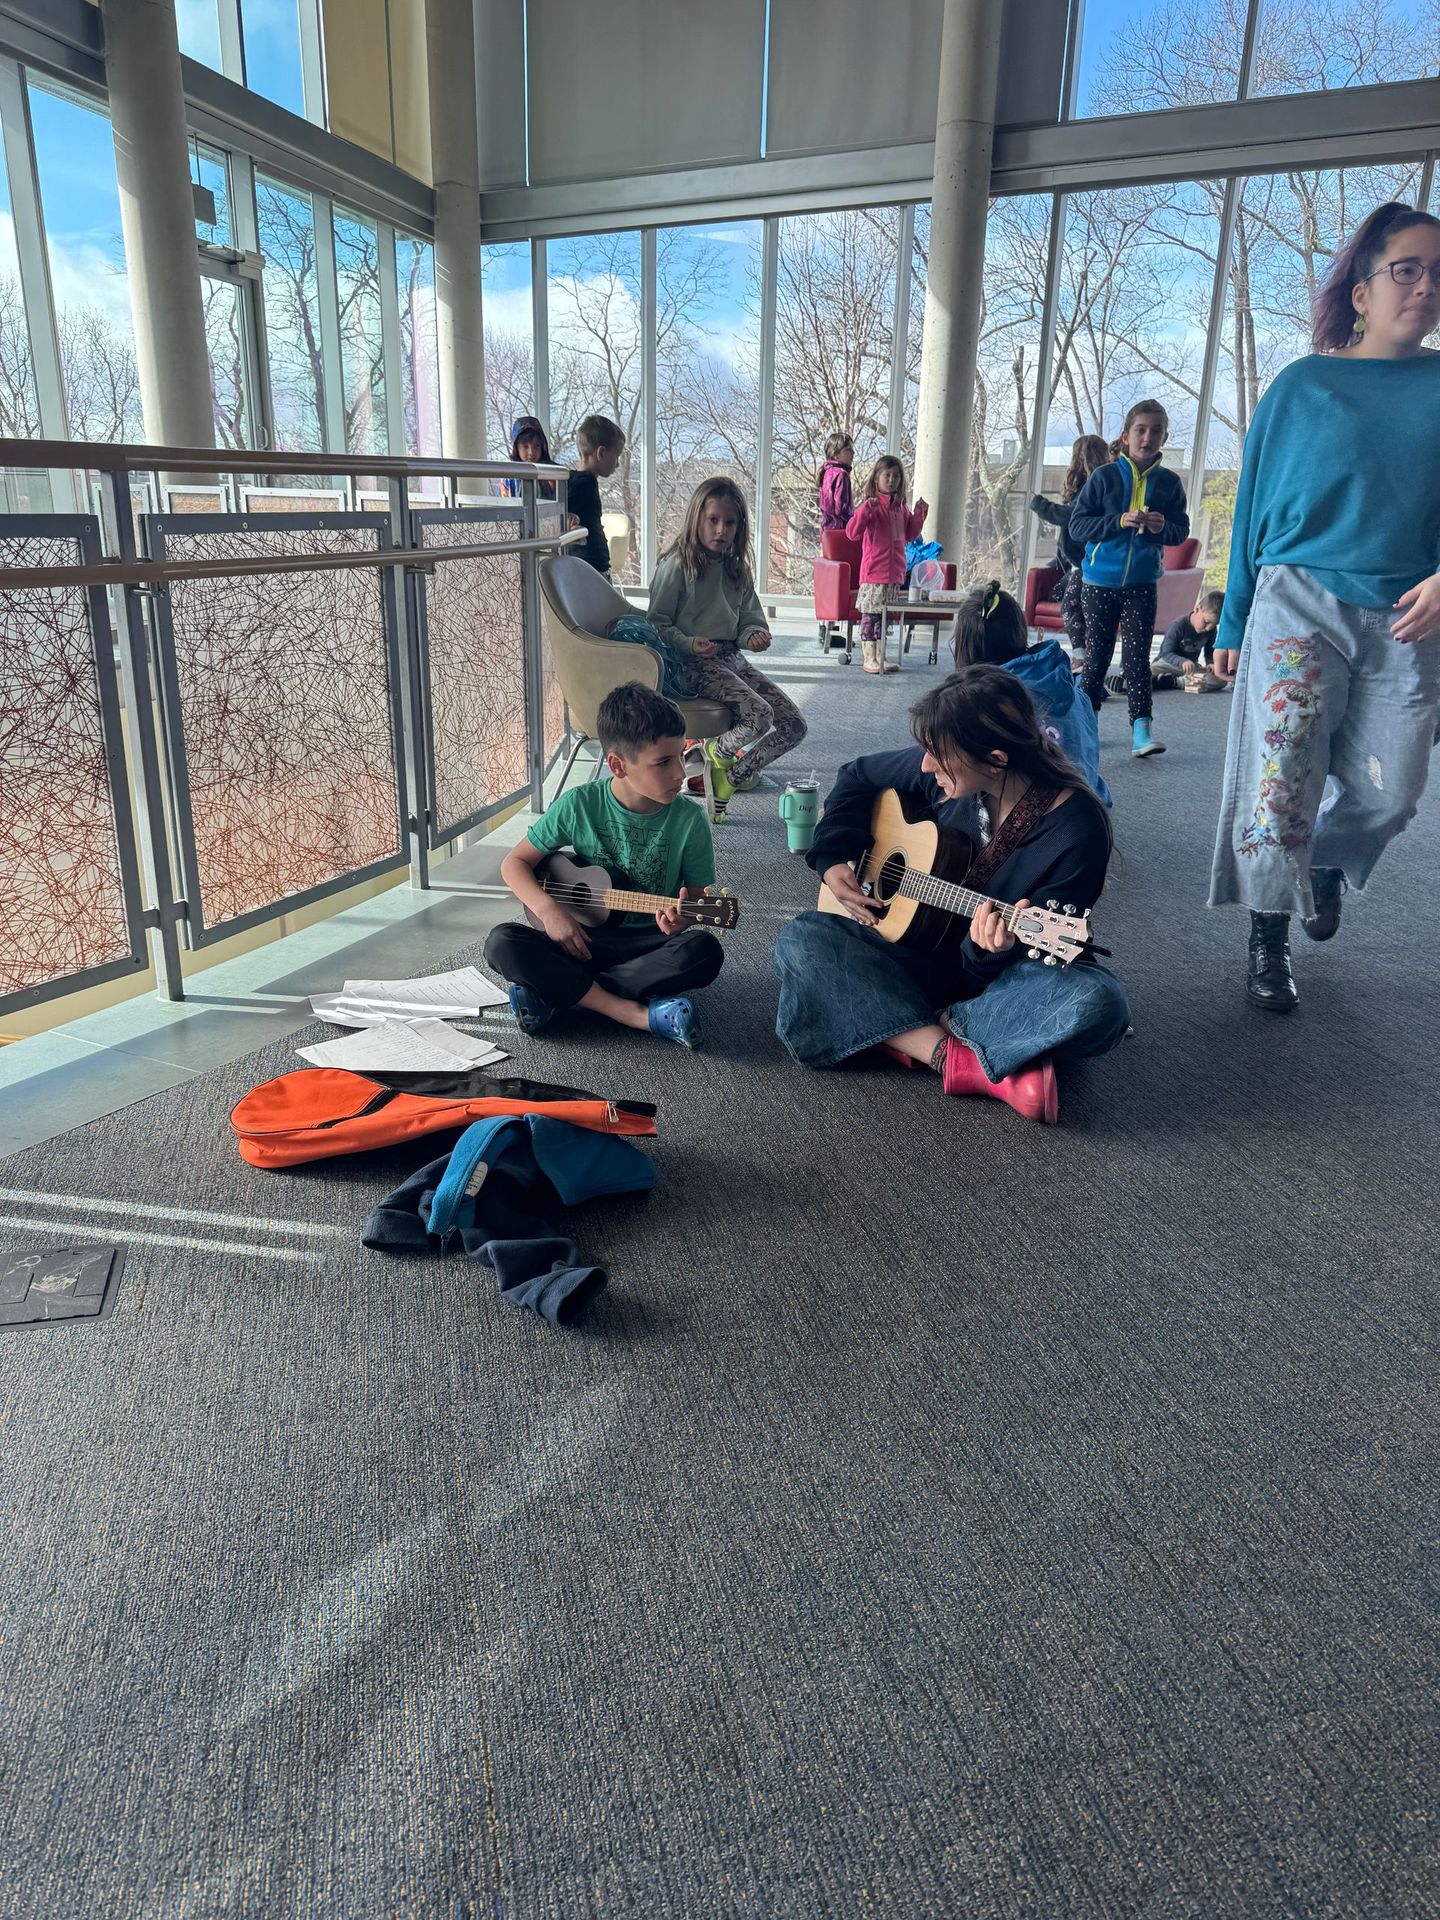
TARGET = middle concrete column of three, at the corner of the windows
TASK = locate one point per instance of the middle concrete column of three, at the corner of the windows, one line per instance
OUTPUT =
(456, 164)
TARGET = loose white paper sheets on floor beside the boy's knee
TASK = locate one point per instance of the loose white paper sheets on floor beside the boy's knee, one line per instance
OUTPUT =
(404, 1024)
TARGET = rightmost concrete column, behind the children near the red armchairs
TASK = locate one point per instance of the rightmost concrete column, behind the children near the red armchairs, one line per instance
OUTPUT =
(965, 139)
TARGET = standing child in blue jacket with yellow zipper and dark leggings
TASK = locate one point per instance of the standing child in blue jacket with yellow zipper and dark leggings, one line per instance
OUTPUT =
(1126, 516)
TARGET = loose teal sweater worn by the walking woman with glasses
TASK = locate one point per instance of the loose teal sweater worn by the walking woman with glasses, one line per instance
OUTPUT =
(1343, 479)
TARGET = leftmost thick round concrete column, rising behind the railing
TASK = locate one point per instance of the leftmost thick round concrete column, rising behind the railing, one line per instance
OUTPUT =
(158, 218)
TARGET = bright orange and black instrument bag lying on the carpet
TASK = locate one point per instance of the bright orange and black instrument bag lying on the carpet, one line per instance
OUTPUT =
(322, 1113)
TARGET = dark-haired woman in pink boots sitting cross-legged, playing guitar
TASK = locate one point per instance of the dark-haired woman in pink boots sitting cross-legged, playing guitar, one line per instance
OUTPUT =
(986, 769)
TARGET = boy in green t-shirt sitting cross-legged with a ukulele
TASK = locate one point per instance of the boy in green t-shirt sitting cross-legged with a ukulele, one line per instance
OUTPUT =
(650, 840)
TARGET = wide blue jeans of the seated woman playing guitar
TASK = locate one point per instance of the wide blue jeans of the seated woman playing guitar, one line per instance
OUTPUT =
(844, 990)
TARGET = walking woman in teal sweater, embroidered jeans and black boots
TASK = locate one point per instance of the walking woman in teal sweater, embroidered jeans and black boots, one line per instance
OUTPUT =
(1333, 602)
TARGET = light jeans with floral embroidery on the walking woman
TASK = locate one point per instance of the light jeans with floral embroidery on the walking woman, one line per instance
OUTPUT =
(1330, 748)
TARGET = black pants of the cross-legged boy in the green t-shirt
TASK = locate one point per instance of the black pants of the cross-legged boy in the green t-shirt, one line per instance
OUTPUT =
(633, 963)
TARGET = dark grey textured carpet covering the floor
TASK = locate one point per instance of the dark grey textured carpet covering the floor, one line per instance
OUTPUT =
(938, 1516)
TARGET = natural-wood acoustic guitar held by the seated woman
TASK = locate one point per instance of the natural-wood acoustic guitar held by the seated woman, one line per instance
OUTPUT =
(915, 875)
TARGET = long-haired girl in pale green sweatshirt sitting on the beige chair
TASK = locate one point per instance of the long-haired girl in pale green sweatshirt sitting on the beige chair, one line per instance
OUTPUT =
(708, 613)
